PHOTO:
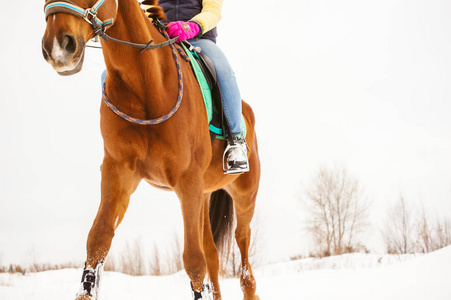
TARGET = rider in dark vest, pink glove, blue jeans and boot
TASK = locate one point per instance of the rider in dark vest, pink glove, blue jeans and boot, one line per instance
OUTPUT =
(195, 21)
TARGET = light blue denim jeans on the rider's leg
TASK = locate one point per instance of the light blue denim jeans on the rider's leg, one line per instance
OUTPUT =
(231, 97)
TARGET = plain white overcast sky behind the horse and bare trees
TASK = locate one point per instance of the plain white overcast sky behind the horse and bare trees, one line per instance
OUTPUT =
(358, 84)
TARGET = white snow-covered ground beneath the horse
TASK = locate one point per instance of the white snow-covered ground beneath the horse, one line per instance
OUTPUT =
(354, 276)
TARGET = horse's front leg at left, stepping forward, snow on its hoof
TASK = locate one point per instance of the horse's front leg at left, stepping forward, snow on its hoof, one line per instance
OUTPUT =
(118, 183)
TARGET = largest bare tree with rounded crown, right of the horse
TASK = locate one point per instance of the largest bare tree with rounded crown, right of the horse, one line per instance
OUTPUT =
(337, 212)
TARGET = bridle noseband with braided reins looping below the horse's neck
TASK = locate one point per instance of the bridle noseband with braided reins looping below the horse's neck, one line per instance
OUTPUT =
(99, 27)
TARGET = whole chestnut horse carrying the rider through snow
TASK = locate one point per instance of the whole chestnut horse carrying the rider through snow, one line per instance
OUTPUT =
(176, 154)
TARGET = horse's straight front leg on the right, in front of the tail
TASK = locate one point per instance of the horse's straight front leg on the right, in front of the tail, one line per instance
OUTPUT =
(190, 192)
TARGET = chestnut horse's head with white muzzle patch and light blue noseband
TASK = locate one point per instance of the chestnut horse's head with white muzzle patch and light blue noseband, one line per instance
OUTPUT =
(70, 25)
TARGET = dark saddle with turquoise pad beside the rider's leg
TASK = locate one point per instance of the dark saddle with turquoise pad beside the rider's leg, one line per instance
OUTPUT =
(205, 72)
